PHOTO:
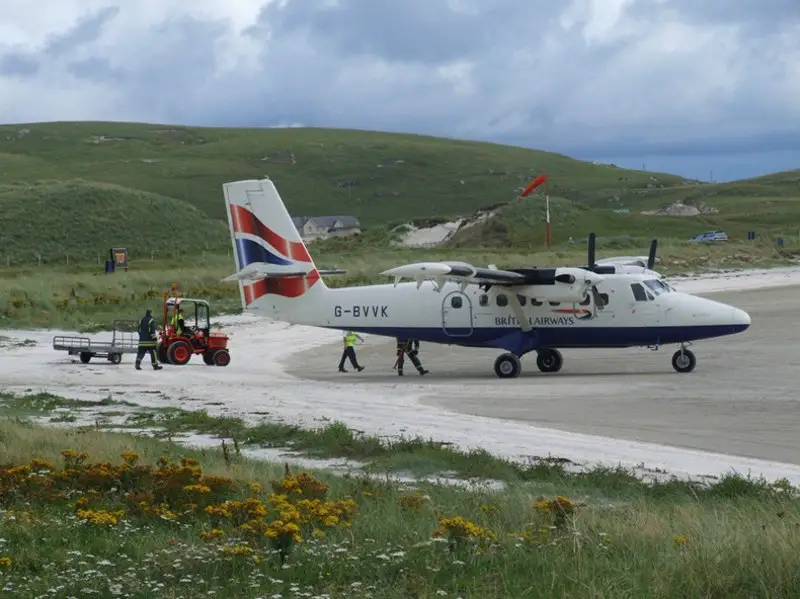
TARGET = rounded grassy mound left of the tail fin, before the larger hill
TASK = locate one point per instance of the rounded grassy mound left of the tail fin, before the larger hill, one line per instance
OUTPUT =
(82, 220)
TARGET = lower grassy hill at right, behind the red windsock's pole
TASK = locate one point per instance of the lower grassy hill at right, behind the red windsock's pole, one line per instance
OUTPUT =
(768, 205)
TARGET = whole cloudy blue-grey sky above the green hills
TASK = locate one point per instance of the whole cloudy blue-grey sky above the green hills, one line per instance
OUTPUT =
(690, 86)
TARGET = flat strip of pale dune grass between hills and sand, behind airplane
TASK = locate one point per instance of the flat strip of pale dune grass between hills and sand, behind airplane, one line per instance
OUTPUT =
(81, 297)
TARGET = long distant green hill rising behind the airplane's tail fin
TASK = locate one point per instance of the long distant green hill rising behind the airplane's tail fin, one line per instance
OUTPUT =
(378, 177)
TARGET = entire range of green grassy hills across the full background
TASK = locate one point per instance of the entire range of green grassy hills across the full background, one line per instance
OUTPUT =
(78, 188)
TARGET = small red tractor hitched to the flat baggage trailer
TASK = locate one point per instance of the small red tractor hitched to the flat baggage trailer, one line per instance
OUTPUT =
(197, 338)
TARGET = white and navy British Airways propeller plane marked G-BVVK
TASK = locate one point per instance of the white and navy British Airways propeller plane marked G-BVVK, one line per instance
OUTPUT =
(517, 310)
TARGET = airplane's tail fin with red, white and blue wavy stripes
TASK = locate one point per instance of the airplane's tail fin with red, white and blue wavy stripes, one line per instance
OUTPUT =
(272, 262)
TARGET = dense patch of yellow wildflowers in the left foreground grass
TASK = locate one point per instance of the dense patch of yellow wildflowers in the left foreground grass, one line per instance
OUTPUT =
(241, 514)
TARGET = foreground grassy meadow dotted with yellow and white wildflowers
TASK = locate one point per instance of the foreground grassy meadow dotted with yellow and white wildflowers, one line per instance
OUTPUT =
(115, 515)
